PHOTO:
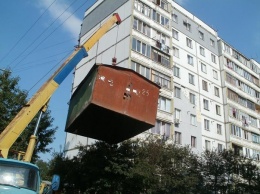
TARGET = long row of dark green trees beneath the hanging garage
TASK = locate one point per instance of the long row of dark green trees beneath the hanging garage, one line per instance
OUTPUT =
(155, 167)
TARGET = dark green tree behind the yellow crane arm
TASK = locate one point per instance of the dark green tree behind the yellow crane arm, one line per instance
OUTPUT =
(12, 99)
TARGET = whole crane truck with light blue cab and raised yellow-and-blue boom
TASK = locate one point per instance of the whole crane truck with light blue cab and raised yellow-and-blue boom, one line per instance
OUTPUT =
(28, 178)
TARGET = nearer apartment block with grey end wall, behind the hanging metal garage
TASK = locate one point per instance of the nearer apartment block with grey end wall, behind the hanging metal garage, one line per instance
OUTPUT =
(173, 48)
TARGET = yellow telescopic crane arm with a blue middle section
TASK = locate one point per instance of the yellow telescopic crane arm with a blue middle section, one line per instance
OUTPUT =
(43, 95)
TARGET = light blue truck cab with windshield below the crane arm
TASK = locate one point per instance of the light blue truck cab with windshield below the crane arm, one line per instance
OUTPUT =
(18, 177)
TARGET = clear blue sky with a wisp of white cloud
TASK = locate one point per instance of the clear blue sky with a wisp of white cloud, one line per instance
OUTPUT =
(36, 36)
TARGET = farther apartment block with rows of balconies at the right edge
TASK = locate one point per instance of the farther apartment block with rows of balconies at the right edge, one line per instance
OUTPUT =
(240, 82)
